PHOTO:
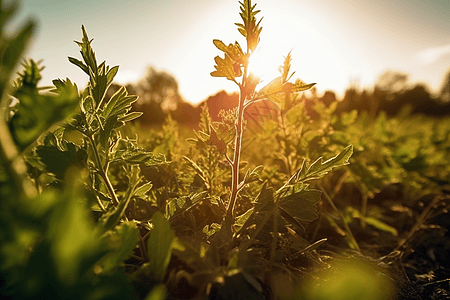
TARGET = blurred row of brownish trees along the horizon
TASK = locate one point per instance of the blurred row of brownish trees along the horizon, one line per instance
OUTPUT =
(159, 96)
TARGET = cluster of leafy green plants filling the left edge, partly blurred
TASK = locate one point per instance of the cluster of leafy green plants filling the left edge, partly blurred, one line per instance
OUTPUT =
(50, 243)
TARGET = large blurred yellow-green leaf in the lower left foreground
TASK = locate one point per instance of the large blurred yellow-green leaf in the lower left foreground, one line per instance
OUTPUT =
(71, 245)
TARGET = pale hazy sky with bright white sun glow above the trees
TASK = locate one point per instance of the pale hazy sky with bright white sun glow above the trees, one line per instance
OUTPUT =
(333, 43)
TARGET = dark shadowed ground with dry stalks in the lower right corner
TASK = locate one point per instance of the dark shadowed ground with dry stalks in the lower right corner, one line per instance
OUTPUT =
(418, 257)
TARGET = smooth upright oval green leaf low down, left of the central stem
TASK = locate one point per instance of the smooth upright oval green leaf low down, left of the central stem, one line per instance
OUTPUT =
(159, 246)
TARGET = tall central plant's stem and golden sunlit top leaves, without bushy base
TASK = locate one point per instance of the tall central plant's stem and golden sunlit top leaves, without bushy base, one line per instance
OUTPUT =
(234, 65)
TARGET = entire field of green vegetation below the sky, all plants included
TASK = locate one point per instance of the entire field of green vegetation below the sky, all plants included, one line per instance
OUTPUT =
(322, 200)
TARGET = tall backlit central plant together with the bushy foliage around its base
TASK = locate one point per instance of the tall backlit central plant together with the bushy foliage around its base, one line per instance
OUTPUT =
(229, 251)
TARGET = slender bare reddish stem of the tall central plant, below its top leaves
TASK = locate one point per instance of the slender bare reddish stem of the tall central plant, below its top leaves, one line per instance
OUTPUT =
(237, 149)
